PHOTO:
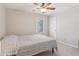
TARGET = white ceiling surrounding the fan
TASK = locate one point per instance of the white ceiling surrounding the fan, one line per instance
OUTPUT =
(28, 7)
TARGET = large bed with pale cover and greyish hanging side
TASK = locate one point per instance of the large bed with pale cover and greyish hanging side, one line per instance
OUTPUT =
(26, 45)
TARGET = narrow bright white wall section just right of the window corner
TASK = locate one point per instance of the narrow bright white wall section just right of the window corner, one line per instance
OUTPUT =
(52, 26)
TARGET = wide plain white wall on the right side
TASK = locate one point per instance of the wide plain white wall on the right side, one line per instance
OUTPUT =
(68, 26)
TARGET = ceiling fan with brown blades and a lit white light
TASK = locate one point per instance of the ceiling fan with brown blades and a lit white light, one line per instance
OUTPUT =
(45, 6)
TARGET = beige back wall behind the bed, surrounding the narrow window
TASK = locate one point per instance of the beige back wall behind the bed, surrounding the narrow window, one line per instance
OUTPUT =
(19, 22)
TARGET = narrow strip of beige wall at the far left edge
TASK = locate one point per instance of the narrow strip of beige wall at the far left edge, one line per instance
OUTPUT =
(2, 24)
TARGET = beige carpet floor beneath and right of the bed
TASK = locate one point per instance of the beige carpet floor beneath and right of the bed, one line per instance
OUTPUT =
(63, 50)
